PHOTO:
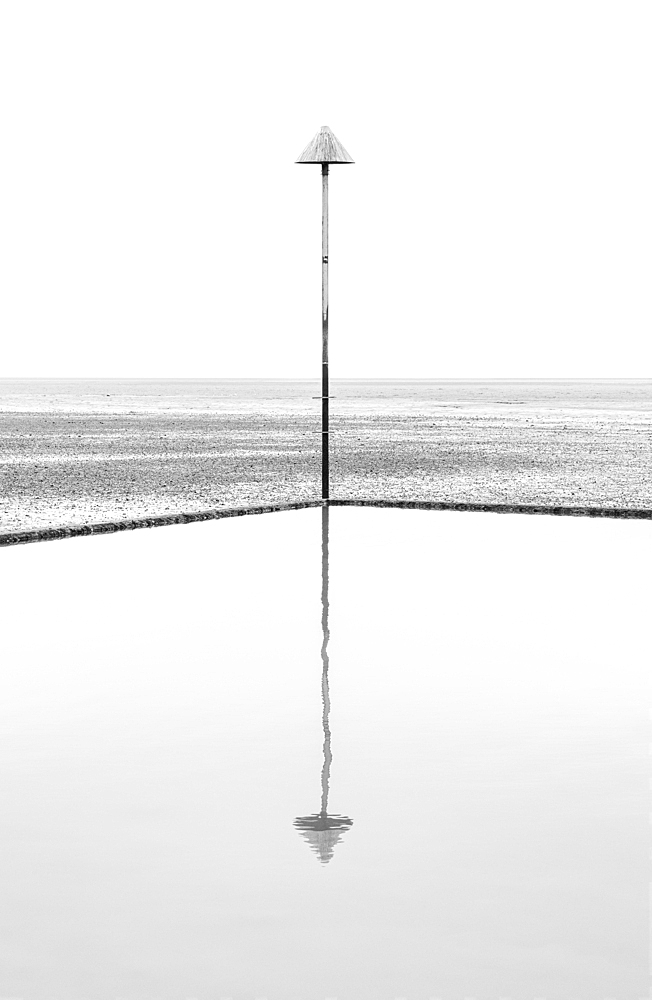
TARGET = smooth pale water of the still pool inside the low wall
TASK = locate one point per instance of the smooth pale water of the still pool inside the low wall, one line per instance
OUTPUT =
(234, 768)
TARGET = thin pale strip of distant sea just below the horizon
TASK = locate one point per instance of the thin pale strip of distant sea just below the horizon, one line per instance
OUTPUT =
(295, 395)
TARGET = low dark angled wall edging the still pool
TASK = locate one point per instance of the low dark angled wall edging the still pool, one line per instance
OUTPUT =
(158, 520)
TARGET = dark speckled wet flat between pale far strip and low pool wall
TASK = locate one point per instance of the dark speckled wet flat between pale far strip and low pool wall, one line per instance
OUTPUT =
(67, 468)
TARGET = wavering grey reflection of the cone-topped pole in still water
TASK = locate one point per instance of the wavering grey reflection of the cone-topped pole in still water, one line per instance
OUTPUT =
(321, 830)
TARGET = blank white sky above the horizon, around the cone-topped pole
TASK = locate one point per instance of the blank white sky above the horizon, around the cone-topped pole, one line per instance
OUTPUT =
(497, 221)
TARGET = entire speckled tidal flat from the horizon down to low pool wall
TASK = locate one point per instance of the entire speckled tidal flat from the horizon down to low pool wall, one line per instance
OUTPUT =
(79, 455)
